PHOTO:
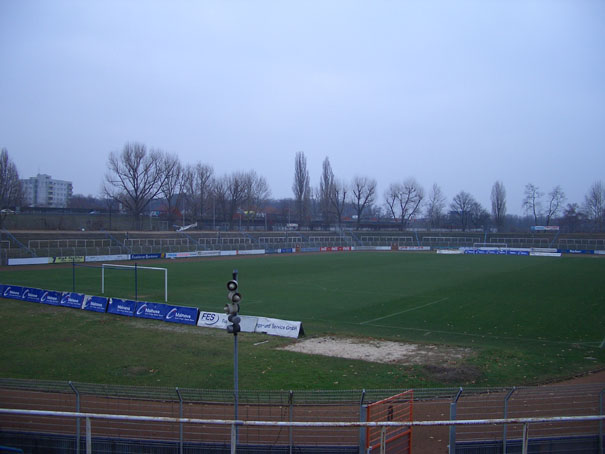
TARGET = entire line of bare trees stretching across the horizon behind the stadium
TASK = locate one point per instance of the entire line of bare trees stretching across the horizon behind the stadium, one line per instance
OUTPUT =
(136, 176)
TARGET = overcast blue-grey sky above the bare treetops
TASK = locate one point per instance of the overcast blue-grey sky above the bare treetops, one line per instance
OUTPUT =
(459, 93)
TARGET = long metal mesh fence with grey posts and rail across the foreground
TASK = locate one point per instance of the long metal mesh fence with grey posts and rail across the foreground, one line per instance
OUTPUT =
(301, 421)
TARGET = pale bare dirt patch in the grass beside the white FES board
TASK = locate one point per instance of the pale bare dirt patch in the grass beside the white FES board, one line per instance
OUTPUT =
(382, 351)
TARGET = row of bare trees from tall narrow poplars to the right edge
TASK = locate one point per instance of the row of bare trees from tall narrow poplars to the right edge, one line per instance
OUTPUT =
(405, 201)
